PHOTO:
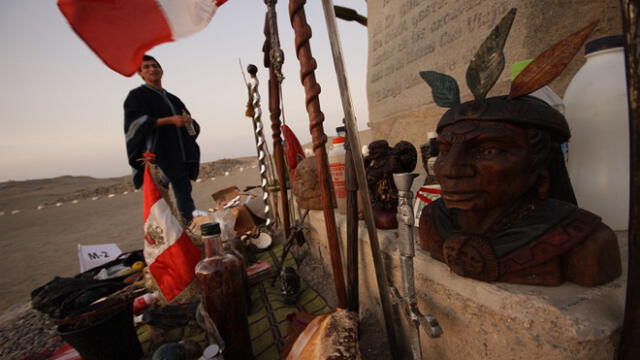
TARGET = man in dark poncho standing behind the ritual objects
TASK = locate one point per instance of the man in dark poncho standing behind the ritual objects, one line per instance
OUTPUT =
(157, 121)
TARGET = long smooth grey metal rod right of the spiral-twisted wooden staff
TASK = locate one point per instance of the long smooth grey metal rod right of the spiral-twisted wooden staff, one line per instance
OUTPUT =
(352, 134)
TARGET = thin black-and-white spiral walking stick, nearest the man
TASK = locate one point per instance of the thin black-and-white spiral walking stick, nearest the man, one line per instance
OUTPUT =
(256, 113)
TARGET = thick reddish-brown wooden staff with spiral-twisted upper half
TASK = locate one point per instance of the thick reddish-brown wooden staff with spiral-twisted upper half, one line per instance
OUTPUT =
(308, 66)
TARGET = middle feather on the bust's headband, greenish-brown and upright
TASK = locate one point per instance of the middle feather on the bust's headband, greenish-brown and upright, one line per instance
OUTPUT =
(487, 64)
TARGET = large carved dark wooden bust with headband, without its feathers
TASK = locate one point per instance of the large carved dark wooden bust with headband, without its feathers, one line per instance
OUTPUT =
(507, 211)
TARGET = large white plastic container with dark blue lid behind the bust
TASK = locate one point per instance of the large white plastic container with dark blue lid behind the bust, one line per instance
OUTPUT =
(597, 111)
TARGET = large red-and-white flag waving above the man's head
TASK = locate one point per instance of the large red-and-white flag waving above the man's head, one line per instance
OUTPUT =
(121, 31)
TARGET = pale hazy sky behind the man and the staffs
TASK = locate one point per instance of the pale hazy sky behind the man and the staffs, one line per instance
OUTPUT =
(63, 107)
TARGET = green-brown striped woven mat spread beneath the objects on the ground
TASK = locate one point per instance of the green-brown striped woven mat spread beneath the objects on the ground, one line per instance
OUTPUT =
(267, 322)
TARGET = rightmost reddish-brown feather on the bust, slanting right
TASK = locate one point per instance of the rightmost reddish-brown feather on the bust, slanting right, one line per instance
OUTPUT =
(550, 63)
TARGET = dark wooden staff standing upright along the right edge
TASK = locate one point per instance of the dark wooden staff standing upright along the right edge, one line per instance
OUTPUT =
(629, 344)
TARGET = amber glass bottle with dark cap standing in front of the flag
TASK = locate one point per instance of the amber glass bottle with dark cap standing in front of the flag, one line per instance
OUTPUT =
(220, 277)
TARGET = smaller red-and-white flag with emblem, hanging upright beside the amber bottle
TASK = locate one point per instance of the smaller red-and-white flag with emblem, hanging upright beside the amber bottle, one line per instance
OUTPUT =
(168, 250)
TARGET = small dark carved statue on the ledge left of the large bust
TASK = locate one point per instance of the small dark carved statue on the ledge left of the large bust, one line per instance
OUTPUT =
(380, 165)
